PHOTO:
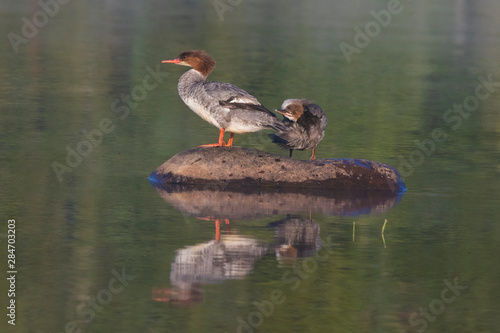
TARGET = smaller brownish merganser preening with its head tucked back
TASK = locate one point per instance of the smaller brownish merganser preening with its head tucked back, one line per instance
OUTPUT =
(305, 123)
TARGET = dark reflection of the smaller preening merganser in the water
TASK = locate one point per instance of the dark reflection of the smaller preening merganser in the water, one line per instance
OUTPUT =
(296, 238)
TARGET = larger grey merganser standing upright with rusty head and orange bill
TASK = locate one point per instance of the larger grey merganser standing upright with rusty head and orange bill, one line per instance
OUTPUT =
(221, 104)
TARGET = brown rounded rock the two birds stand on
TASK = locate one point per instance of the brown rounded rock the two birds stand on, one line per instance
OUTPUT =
(238, 167)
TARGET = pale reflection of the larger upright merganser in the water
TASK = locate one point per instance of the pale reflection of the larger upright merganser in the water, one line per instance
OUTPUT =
(231, 257)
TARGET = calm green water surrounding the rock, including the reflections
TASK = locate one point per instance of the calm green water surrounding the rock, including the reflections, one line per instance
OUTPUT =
(99, 250)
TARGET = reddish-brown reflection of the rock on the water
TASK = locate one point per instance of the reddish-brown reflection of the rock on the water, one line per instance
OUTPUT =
(241, 205)
